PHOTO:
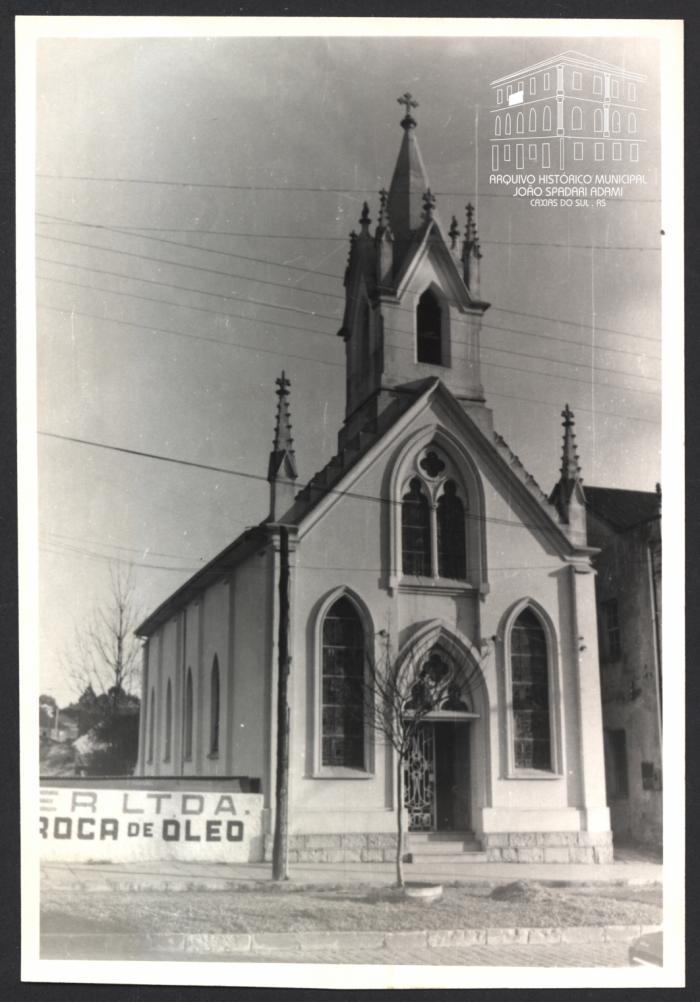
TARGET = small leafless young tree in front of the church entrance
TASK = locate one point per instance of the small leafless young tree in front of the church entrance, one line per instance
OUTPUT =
(399, 699)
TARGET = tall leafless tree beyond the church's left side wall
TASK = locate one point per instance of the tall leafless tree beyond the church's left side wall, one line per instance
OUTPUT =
(105, 655)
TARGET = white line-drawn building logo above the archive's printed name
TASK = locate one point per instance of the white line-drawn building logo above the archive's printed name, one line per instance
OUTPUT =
(565, 114)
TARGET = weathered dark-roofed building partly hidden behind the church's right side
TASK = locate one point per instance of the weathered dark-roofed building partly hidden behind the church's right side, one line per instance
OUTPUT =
(626, 526)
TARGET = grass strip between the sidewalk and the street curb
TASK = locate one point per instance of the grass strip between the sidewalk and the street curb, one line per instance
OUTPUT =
(291, 908)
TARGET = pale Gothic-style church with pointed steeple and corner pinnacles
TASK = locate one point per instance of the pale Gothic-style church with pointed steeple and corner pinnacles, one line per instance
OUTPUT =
(423, 547)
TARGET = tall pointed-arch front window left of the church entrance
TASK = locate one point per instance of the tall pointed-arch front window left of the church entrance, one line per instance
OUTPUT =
(343, 718)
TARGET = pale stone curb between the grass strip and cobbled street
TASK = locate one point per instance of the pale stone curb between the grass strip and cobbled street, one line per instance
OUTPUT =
(122, 945)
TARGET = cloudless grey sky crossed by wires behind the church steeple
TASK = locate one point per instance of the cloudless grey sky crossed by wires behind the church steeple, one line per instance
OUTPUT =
(195, 199)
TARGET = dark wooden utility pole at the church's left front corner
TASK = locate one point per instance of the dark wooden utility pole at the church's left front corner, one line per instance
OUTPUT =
(281, 842)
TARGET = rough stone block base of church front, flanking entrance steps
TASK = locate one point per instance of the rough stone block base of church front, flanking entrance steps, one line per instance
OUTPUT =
(500, 847)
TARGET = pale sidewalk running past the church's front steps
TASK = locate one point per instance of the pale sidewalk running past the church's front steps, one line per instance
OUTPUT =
(178, 876)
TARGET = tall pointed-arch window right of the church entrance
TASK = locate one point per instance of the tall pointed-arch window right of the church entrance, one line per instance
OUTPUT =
(531, 694)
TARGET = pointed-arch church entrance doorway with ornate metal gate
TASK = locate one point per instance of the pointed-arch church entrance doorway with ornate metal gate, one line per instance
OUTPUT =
(438, 768)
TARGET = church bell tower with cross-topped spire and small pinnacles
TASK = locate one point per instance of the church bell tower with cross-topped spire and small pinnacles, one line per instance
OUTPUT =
(413, 299)
